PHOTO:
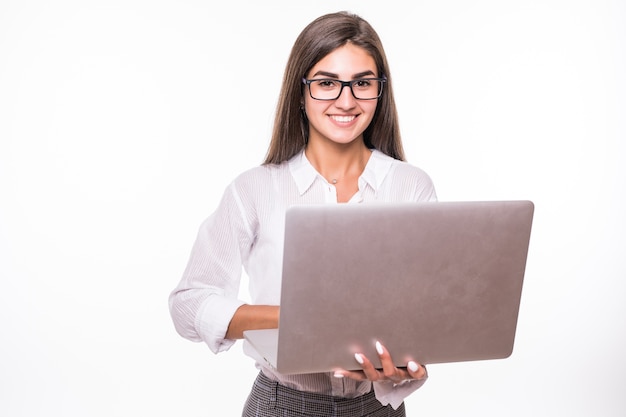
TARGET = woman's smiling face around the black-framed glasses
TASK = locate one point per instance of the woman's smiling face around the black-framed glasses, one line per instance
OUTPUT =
(345, 119)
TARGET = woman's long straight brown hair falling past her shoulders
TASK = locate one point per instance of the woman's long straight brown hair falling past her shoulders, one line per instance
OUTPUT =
(318, 39)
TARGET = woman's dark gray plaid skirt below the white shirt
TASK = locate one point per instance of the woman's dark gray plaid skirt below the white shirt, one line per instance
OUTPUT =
(270, 399)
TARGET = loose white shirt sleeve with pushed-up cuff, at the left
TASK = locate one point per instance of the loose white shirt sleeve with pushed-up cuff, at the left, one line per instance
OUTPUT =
(206, 298)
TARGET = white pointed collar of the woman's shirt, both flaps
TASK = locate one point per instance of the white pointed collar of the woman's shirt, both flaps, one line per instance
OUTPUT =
(304, 174)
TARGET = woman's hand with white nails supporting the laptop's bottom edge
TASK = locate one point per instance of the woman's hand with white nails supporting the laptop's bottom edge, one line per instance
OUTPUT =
(389, 371)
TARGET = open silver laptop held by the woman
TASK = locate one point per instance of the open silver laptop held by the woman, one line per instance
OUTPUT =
(433, 282)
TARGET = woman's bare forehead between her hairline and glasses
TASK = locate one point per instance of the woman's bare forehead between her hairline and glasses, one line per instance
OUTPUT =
(345, 62)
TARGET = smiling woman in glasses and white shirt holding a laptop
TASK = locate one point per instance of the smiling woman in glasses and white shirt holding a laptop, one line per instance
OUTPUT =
(335, 140)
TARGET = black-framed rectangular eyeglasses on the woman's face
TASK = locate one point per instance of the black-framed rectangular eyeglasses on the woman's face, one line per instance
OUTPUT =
(330, 89)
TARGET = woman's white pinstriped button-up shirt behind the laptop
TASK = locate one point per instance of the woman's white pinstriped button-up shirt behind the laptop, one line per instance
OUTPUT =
(246, 230)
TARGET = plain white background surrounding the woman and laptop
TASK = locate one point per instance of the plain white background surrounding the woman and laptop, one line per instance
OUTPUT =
(121, 122)
